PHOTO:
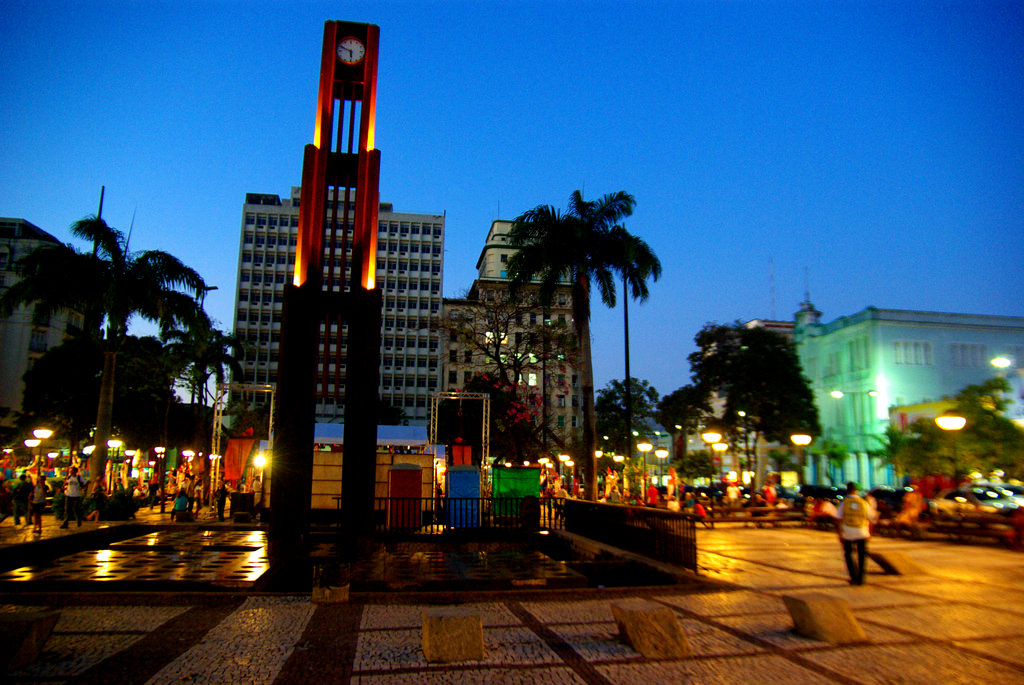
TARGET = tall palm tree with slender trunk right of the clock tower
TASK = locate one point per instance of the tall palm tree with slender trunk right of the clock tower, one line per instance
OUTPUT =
(576, 248)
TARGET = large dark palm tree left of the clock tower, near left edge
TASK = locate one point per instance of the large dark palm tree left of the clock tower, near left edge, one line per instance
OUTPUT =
(109, 287)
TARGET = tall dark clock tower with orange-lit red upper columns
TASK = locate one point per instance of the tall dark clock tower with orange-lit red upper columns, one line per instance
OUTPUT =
(339, 203)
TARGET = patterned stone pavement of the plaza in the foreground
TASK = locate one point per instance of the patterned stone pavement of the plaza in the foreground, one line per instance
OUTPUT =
(962, 622)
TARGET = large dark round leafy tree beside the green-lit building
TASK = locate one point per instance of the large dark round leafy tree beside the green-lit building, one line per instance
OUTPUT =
(759, 374)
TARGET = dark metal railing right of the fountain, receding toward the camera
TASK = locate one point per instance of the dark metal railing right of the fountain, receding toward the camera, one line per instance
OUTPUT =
(666, 536)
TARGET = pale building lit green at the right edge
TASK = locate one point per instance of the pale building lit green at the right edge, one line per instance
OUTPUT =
(864, 366)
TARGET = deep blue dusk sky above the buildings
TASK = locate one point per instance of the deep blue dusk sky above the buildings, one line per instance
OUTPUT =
(877, 147)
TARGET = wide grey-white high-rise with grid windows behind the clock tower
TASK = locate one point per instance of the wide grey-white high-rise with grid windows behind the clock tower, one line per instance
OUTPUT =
(410, 260)
